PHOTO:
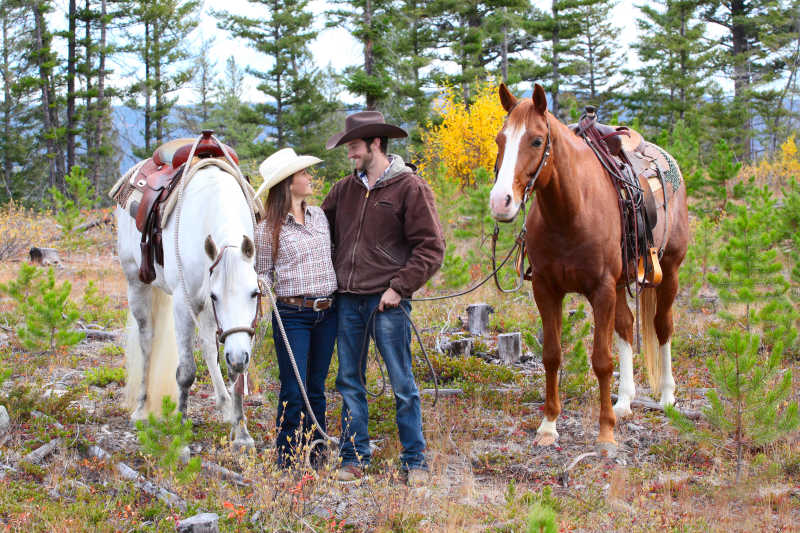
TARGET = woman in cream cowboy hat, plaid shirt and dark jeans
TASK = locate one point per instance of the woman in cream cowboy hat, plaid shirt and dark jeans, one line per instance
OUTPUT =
(294, 257)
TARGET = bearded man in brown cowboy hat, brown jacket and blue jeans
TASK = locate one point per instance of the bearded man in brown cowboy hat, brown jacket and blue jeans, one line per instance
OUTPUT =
(388, 242)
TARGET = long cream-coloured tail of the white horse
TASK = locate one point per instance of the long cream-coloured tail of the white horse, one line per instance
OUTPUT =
(163, 359)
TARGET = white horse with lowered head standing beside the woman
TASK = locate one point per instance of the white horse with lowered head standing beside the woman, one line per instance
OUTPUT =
(218, 293)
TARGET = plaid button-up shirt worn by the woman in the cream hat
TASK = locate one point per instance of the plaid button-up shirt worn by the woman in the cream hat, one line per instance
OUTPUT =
(303, 266)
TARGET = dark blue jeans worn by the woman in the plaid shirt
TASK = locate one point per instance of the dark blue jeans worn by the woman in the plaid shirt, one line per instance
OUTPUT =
(312, 335)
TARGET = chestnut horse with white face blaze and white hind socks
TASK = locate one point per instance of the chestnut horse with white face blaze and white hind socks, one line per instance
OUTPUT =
(574, 245)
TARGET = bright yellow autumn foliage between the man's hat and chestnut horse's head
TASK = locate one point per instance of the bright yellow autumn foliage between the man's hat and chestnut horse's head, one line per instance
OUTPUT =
(464, 140)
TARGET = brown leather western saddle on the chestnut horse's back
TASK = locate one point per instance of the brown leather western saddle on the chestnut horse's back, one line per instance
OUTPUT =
(631, 170)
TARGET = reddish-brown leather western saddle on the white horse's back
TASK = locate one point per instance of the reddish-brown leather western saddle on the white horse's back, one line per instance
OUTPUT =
(148, 189)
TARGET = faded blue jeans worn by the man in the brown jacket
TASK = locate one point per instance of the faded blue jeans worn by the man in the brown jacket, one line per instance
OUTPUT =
(393, 339)
